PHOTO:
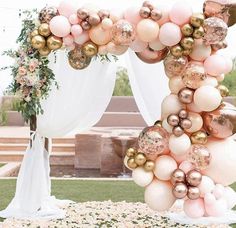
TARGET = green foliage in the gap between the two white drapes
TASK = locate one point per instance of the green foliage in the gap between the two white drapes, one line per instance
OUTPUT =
(122, 87)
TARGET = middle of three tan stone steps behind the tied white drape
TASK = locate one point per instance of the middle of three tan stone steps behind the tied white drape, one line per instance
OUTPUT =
(23, 147)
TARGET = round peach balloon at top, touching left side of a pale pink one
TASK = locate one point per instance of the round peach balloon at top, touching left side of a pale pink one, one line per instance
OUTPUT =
(147, 30)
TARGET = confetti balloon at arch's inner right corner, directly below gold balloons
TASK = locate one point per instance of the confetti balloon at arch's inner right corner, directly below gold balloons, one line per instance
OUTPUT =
(175, 66)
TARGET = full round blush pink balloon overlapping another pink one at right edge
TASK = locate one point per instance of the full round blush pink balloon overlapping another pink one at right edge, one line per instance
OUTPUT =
(215, 65)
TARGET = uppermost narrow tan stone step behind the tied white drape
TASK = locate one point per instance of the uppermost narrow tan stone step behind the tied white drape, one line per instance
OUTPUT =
(26, 140)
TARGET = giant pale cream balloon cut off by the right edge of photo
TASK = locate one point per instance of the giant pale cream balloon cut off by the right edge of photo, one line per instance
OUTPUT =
(222, 168)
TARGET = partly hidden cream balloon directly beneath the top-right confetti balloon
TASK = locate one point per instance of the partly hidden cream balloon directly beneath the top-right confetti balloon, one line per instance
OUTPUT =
(200, 51)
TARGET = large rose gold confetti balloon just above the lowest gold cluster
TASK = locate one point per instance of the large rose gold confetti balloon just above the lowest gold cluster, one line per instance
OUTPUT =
(153, 141)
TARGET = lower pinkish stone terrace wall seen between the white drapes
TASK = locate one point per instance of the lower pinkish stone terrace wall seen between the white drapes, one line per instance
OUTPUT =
(121, 119)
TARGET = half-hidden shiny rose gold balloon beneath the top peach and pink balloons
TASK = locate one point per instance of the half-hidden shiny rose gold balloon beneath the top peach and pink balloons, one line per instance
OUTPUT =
(150, 56)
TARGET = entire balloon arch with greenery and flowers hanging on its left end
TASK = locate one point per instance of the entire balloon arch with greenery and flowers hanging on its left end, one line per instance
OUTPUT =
(189, 153)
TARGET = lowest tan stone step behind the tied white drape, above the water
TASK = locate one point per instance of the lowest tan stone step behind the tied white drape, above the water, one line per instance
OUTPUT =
(55, 157)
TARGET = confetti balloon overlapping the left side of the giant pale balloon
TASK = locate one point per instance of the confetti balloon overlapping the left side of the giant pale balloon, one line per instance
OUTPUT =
(200, 156)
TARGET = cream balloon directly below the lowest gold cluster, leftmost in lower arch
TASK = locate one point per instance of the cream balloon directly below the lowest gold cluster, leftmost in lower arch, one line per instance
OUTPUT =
(142, 177)
